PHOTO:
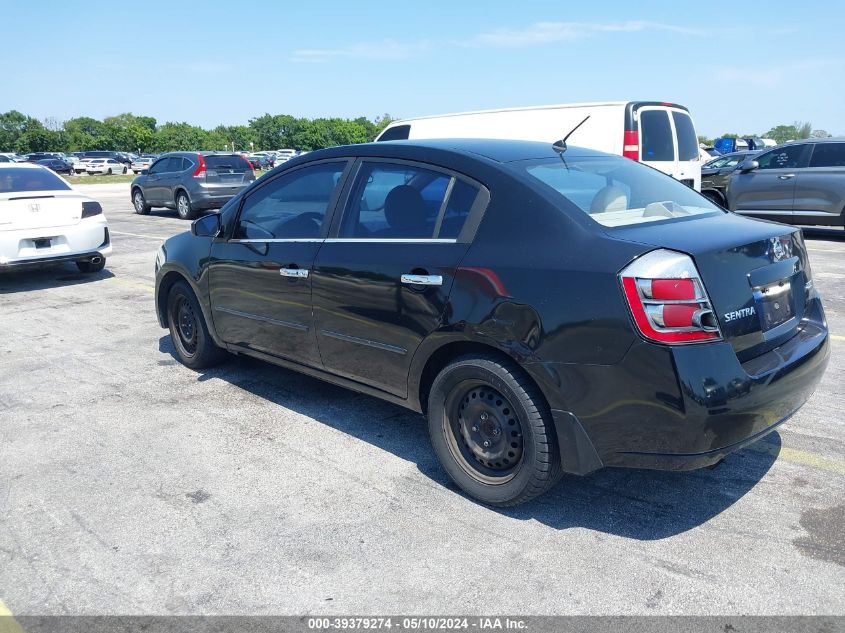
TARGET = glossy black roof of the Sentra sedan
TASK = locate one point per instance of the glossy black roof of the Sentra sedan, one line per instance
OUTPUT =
(499, 150)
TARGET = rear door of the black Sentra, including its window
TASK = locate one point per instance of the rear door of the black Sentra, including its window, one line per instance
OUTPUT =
(382, 281)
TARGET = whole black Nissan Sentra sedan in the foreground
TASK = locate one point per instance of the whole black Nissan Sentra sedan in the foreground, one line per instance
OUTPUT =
(550, 310)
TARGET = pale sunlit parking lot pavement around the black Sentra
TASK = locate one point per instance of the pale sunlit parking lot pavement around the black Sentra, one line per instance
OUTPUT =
(130, 484)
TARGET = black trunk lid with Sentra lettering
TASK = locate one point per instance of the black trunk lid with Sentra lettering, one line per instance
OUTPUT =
(755, 272)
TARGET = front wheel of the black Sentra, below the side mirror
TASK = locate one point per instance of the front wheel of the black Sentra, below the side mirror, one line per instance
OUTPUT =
(188, 331)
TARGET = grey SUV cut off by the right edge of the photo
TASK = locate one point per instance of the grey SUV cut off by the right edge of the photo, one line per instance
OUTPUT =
(802, 182)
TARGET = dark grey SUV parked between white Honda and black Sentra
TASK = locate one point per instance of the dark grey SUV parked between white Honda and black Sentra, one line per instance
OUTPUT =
(190, 182)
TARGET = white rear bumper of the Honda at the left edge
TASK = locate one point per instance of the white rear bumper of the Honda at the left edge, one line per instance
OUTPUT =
(80, 241)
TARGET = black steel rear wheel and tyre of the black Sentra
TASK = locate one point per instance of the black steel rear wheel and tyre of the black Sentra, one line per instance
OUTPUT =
(492, 431)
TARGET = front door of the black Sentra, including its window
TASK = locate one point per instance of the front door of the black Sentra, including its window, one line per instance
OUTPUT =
(260, 278)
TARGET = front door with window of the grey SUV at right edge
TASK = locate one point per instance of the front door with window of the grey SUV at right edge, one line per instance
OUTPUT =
(769, 190)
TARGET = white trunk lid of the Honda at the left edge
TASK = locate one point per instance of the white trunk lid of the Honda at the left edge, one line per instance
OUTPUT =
(28, 210)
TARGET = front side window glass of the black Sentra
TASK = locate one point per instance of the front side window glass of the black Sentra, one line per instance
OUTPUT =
(292, 206)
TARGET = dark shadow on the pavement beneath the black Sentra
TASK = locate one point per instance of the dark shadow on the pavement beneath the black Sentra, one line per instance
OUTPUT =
(636, 504)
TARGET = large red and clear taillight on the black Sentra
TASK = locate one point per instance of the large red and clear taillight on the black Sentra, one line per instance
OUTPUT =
(667, 300)
